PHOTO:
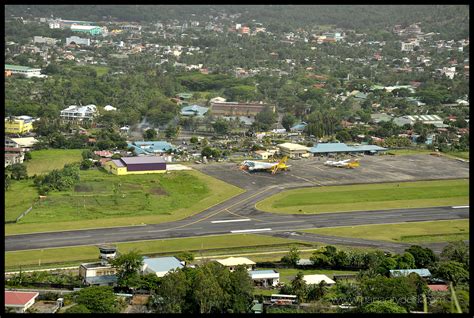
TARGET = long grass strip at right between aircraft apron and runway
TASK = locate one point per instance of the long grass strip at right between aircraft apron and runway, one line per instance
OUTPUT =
(368, 197)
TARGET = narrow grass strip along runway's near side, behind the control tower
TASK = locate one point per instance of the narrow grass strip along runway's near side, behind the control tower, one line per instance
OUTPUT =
(80, 254)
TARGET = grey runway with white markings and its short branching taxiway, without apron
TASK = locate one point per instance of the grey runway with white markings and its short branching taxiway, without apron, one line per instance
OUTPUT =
(238, 208)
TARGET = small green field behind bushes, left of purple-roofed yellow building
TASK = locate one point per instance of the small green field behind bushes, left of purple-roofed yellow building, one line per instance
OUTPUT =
(46, 160)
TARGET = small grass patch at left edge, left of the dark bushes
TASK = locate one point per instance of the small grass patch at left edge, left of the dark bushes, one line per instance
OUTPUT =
(16, 204)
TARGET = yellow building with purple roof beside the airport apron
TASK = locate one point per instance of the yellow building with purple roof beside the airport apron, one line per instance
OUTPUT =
(136, 165)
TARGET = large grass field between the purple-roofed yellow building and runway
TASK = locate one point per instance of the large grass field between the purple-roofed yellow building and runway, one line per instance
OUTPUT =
(147, 199)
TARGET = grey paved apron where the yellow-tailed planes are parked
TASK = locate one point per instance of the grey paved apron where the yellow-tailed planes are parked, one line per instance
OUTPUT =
(313, 172)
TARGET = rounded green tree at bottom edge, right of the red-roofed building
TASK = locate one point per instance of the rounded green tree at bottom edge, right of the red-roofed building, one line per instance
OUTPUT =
(98, 299)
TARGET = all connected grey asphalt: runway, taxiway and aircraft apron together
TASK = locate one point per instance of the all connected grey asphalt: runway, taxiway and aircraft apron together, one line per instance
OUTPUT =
(239, 213)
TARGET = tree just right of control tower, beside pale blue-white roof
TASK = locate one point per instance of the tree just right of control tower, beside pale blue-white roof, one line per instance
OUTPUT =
(128, 266)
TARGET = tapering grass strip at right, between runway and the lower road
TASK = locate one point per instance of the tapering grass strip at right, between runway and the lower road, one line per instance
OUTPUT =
(411, 232)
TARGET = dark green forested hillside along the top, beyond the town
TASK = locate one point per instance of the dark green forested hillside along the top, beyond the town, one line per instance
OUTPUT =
(451, 21)
